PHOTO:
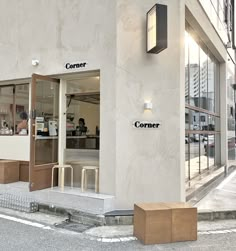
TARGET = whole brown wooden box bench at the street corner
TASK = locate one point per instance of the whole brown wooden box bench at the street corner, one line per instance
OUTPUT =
(156, 223)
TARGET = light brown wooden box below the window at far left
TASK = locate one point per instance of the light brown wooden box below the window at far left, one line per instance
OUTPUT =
(9, 171)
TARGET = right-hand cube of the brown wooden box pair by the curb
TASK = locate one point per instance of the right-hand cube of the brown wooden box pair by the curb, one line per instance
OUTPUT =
(184, 222)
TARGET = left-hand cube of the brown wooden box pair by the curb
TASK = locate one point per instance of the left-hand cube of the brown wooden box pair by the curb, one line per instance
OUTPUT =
(152, 223)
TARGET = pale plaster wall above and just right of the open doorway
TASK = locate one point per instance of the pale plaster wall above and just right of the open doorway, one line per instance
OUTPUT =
(57, 32)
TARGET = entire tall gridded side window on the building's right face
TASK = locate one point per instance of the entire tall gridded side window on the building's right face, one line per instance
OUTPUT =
(201, 88)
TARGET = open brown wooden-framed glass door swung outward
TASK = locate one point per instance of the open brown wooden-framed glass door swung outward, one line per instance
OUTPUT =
(44, 131)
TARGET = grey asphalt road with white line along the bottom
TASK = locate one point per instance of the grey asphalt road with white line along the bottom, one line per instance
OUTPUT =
(19, 236)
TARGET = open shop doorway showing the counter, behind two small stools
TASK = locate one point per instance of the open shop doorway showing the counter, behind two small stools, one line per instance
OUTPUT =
(82, 129)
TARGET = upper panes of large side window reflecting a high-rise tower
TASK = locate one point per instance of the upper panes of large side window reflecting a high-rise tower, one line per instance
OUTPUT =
(200, 71)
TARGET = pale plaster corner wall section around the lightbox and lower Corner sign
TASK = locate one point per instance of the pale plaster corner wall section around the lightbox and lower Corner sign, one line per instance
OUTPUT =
(149, 162)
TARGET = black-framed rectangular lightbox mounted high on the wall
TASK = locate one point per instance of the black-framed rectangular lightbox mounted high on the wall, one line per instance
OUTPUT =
(156, 28)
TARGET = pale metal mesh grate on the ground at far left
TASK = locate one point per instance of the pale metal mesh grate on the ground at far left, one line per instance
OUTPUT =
(18, 202)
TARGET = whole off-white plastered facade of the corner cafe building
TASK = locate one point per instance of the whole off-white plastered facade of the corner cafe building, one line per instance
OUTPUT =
(78, 40)
